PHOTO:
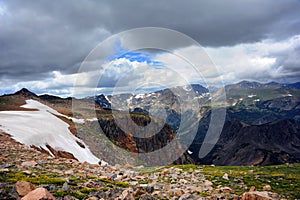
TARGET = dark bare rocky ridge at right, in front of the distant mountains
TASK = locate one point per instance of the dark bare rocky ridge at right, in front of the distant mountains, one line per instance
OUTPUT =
(268, 144)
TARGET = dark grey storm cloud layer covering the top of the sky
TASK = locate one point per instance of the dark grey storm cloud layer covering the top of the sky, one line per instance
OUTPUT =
(38, 37)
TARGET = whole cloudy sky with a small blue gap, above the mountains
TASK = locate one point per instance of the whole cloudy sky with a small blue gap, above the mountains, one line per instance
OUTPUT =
(44, 43)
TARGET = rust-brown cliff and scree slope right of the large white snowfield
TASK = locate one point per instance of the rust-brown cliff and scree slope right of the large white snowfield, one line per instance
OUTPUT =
(107, 140)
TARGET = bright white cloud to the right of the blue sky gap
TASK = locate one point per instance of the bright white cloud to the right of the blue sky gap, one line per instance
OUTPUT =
(261, 61)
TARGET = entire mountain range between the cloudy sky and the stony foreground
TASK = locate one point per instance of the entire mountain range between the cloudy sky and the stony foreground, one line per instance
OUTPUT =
(262, 125)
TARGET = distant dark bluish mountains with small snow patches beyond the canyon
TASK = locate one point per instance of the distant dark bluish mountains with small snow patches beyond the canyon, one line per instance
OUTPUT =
(262, 123)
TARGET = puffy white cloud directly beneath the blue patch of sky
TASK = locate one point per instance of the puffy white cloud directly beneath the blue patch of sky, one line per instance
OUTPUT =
(129, 76)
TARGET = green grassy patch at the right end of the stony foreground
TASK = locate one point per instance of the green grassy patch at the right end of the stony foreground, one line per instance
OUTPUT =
(284, 179)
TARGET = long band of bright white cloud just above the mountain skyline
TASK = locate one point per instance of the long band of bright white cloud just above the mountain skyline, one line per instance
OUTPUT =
(261, 61)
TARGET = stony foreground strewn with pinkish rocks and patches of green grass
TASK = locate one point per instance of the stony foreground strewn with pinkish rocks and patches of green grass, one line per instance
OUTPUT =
(28, 174)
